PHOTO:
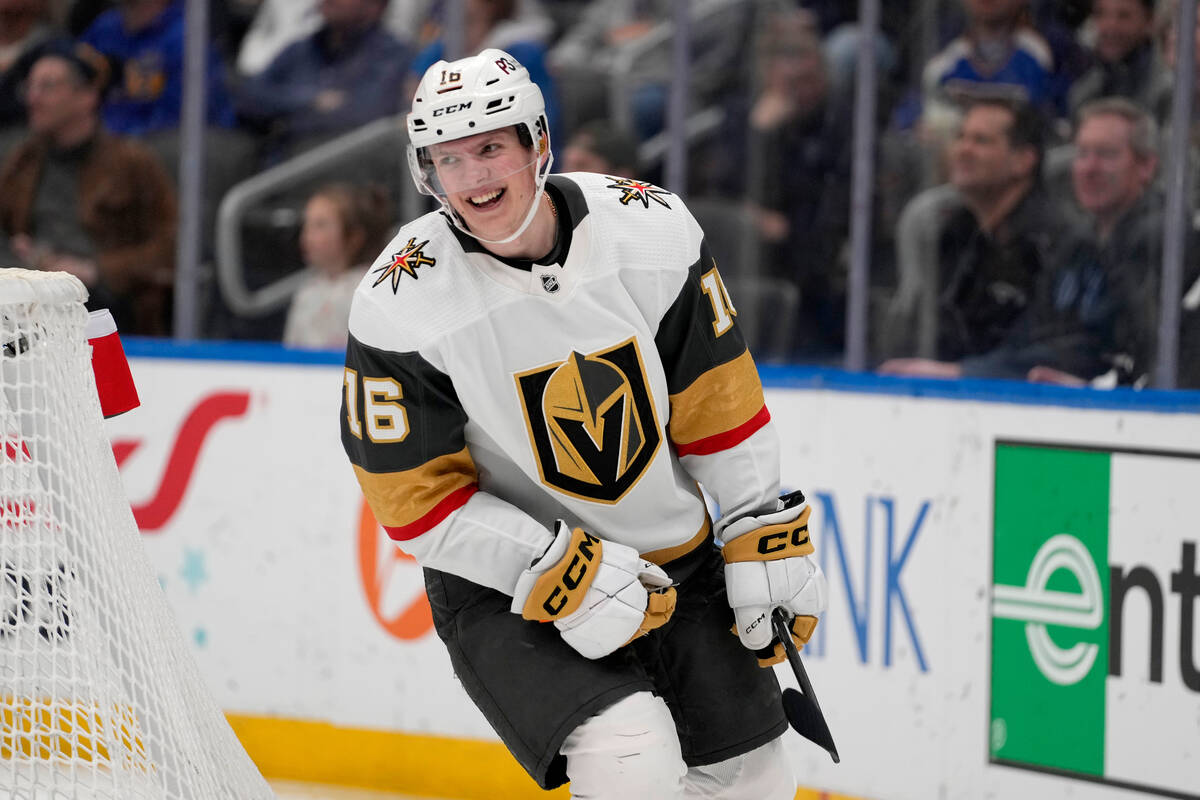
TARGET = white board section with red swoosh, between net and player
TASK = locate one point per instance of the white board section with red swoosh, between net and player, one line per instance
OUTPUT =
(251, 513)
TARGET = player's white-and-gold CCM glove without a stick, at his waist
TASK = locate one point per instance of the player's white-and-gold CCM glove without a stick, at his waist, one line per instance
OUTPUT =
(601, 596)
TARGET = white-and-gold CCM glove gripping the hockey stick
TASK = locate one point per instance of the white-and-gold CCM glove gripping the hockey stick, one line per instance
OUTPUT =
(769, 566)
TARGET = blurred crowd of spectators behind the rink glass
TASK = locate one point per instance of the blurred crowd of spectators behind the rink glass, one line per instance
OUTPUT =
(1018, 197)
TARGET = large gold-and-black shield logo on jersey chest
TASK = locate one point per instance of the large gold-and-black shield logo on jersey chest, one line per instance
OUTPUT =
(592, 423)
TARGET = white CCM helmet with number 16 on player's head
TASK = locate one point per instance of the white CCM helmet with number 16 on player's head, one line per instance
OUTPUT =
(475, 95)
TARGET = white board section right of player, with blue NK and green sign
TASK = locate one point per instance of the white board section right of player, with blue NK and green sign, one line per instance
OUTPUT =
(929, 681)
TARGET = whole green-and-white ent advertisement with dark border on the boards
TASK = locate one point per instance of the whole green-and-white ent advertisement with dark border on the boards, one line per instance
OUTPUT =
(1096, 616)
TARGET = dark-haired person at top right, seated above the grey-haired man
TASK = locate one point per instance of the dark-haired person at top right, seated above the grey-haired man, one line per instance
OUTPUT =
(1127, 63)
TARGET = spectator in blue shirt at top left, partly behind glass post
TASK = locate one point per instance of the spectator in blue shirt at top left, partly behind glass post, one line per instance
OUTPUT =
(146, 38)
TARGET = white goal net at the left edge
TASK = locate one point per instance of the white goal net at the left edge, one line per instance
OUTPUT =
(99, 696)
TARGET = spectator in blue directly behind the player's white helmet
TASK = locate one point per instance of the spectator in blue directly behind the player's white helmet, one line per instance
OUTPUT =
(519, 28)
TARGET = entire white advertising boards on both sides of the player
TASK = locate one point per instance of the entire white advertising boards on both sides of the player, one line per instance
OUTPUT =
(1013, 586)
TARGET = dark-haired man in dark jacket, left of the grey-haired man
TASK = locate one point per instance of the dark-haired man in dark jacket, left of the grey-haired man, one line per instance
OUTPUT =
(1004, 251)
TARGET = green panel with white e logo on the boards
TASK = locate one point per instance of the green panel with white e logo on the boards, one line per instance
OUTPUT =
(1051, 591)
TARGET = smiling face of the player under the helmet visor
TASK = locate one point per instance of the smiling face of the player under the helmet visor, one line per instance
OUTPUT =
(489, 179)
